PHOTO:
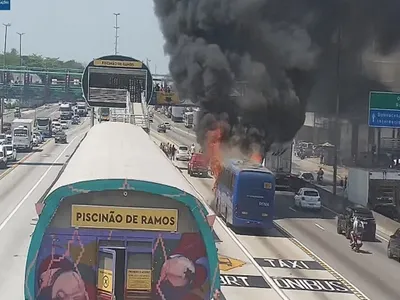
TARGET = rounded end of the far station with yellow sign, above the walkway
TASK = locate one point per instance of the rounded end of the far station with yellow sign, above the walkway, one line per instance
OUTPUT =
(106, 81)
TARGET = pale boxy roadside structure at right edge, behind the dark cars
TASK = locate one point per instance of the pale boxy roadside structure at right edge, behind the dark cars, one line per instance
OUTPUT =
(376, 189)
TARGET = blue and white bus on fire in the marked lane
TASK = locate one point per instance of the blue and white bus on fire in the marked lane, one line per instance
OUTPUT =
(245, 195)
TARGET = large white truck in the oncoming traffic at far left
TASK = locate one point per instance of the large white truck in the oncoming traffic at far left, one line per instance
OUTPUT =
(22, 131)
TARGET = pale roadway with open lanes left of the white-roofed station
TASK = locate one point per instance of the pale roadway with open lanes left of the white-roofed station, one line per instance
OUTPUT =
(19, 191)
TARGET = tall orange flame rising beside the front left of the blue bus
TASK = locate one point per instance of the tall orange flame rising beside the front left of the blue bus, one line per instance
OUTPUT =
(214, 153)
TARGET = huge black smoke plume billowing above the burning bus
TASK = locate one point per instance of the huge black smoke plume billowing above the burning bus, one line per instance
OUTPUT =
(283, 53)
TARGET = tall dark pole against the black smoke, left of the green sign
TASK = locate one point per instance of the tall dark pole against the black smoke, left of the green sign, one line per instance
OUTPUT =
(337, 128)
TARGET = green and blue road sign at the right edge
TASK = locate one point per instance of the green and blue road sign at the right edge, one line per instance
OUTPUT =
(384, 110)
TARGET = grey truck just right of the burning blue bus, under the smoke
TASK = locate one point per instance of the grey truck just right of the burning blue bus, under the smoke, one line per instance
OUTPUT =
(279, 161)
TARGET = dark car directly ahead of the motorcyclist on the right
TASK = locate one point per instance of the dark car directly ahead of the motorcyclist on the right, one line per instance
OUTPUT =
(345, 222)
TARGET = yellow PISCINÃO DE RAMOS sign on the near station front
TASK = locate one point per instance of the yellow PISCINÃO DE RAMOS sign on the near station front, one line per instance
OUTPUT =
(111, 217)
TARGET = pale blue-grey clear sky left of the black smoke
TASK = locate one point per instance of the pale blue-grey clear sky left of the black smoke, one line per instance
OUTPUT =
(84, 29)
